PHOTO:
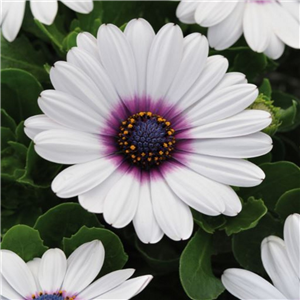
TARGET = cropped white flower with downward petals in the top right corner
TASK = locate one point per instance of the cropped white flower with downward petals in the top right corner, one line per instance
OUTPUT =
(267, 24)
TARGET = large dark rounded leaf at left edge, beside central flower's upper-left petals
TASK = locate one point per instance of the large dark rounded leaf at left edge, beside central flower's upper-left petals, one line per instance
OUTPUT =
(19, 93)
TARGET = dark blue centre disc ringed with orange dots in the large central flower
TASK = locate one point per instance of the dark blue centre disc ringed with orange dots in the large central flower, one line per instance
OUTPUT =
(146, 139)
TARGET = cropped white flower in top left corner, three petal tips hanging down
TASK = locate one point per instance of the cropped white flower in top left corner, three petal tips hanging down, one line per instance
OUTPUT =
(12, 13)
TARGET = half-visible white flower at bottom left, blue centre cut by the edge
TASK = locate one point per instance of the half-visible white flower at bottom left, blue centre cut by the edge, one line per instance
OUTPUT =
(53, 277)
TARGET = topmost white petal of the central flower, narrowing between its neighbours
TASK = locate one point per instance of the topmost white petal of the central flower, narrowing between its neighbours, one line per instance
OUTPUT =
(140, 35)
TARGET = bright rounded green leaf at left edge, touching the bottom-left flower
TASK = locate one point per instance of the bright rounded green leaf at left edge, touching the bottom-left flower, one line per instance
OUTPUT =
(24, 241)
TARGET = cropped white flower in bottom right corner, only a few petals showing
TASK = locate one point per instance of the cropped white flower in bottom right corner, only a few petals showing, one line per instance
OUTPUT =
(281, 260)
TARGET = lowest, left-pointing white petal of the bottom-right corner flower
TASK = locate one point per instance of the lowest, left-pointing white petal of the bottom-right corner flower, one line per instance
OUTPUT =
(246, 285)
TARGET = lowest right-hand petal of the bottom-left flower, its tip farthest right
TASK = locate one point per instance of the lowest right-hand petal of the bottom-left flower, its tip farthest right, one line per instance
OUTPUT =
(128, 289)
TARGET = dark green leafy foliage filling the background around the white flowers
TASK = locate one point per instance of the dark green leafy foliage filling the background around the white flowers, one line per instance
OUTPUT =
(33, 218)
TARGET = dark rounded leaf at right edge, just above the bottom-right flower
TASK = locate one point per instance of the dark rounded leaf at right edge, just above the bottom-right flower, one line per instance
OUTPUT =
(288, 203)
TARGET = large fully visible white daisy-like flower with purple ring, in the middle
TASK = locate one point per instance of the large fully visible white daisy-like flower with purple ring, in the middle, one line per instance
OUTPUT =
(153, 126)
